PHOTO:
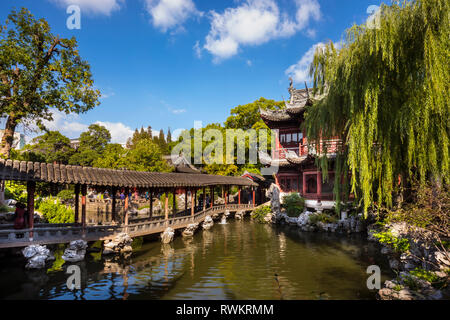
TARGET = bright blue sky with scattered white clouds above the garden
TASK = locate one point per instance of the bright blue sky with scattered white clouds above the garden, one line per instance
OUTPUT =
(168, 63)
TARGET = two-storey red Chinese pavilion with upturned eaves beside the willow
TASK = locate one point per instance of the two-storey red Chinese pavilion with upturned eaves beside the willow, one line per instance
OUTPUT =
(294, 157)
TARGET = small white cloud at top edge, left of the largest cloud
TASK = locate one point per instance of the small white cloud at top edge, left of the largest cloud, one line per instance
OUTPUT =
(168, 14)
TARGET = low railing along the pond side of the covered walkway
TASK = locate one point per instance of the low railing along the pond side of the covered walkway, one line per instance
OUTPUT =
(62, 233)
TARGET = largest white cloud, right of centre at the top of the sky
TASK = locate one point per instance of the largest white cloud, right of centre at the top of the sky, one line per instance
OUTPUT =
(255, 22)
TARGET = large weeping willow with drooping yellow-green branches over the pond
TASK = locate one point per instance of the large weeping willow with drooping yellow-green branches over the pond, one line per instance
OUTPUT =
(386, 93)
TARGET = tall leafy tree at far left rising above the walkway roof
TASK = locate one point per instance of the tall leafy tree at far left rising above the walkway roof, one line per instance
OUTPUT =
(39, 71)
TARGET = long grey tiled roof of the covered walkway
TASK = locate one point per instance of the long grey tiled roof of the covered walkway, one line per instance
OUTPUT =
(66, 174)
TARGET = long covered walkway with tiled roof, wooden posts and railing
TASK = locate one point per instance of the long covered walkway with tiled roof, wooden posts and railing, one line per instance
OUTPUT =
(82, 177)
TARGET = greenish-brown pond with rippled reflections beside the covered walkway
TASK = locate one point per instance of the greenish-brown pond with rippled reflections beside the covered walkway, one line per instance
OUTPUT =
(237, 260)
